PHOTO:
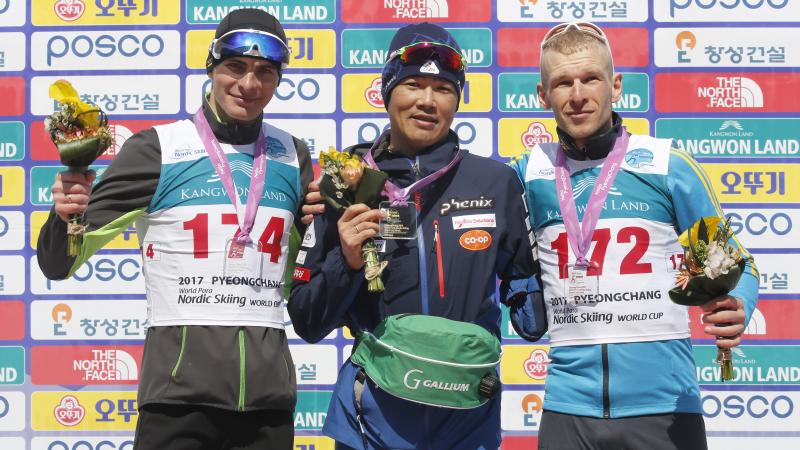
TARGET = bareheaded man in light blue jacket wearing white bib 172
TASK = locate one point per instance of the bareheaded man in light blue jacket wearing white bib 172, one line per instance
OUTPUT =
(607, 208)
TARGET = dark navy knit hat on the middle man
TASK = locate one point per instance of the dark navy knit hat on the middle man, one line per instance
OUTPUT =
(395, 70)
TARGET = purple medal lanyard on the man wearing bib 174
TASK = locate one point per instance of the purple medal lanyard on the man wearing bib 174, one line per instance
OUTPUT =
(220, 163)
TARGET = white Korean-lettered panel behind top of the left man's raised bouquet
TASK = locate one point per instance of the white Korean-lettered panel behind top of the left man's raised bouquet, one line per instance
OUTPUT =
(115, 94)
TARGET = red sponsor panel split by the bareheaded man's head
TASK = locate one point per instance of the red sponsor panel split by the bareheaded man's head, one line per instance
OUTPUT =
(520, 47)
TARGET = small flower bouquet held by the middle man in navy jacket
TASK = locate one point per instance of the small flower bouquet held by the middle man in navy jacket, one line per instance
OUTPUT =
(347, 181)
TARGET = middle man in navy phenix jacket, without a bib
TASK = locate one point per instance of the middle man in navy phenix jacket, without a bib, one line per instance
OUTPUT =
(471, 227)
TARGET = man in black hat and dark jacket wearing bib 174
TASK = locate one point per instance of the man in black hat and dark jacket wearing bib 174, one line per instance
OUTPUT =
(214, 198)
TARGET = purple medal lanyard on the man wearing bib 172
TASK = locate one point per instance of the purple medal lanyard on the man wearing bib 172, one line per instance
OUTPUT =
(596, 200)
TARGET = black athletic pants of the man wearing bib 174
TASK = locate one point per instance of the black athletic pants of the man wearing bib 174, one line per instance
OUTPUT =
(188, 427)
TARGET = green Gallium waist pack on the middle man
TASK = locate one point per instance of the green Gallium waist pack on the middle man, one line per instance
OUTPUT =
(431, 360)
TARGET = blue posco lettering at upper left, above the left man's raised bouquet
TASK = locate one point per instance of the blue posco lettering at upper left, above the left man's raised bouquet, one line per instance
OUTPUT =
(103, 45)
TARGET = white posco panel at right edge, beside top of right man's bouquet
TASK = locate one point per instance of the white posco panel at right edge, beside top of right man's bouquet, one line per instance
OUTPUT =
(765, 228)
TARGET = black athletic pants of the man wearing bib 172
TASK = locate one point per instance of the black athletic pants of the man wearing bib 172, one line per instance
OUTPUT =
(657, 432)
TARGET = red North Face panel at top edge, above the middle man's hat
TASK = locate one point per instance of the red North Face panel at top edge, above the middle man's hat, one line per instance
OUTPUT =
(414, 11)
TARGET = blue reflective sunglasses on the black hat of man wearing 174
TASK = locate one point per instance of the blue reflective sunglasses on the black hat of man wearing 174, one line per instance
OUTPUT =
(251, 43)
